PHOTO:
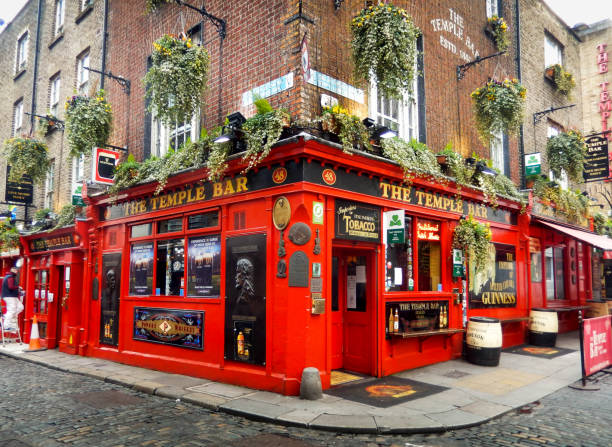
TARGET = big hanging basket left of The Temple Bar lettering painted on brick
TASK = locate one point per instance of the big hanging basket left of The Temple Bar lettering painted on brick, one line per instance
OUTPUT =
(384, 46)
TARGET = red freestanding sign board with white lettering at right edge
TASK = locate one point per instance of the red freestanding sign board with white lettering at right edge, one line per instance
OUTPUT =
(597, 352)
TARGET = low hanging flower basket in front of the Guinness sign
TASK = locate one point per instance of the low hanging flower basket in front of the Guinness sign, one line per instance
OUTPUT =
(473, 238)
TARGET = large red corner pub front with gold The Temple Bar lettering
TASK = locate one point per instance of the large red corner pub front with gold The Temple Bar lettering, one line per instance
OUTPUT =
(297, 263)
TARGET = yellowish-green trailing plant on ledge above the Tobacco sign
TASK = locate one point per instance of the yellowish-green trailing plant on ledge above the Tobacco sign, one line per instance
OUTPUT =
(349, 128)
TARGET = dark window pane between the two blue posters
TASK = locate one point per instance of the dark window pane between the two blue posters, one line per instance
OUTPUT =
(169, 279)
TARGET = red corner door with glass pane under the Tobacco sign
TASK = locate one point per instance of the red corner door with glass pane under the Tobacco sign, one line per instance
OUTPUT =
(353, 311)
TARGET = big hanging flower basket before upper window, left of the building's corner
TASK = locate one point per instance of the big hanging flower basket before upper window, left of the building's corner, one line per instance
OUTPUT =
(177, 79)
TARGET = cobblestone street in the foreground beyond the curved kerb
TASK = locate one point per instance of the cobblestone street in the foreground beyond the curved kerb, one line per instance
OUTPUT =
(45, 407)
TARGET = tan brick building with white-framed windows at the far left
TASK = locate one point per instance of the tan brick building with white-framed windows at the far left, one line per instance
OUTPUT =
(47, 47)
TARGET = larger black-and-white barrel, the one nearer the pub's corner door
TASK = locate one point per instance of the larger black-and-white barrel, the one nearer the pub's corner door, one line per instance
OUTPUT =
(483, 341)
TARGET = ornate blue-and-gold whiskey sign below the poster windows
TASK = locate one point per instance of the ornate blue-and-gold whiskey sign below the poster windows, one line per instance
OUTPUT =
(182, 328)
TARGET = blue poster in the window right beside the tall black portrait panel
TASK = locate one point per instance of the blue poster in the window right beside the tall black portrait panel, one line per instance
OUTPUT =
(204, 266)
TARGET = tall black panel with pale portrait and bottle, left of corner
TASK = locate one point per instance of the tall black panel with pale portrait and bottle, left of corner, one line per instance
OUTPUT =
(245, 324)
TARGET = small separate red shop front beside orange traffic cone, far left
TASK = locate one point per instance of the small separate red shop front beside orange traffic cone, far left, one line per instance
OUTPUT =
(54, 278)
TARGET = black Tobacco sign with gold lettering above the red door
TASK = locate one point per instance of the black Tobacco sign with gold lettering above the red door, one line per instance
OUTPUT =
(357, 221)
